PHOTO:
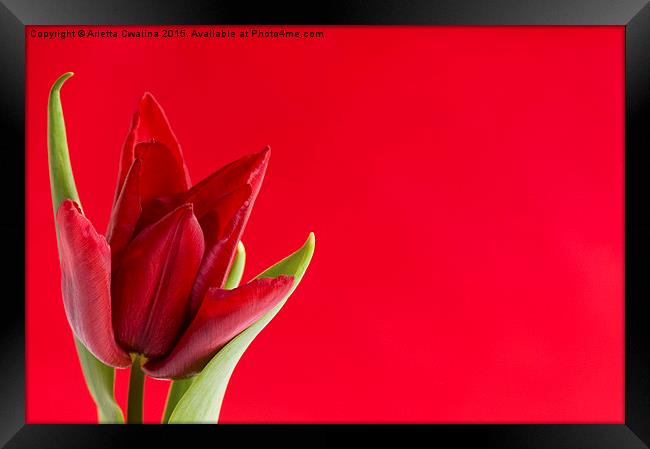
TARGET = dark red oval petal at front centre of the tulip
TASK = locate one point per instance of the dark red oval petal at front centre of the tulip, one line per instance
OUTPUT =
(152, 284)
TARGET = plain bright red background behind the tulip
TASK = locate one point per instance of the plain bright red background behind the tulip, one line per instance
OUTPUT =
(466, 190)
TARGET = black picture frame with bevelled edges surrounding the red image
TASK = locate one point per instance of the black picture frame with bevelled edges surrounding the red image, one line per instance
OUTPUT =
(633, 14)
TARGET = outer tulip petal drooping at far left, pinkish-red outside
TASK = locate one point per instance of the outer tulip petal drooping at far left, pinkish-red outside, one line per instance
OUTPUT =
(86, 284)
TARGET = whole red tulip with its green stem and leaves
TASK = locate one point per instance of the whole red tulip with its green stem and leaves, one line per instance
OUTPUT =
(160, 291)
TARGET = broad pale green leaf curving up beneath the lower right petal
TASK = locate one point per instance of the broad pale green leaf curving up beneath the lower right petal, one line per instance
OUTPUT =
(202, 401)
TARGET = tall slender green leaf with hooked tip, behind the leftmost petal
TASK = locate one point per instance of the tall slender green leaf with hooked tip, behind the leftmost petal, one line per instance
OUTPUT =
(100, 378)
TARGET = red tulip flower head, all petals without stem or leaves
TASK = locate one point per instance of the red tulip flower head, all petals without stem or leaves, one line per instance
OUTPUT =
(154, 287)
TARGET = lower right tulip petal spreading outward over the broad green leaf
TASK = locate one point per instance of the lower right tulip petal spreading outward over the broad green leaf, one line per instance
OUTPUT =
(223, 315)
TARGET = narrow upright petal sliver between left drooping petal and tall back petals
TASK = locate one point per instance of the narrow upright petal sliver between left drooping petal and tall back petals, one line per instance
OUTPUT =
(125, 214)
